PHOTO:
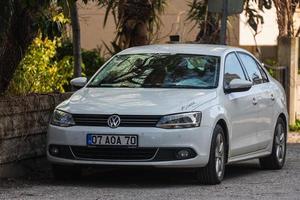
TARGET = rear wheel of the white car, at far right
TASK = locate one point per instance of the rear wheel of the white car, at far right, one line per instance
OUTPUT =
(276, 159)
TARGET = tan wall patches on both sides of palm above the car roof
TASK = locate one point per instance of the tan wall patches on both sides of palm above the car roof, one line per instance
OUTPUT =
(93, 33)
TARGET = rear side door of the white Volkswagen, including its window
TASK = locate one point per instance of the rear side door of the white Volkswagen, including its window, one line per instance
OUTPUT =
(265, 99)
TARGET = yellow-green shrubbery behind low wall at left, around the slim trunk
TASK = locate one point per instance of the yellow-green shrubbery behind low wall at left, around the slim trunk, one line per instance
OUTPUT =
(48, 65)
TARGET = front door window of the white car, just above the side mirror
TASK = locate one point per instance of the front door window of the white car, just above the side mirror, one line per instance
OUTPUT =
(233, 69)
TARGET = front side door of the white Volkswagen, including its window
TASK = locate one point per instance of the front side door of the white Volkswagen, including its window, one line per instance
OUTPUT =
(241, 109)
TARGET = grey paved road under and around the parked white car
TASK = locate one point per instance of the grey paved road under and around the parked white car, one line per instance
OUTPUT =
(242, 181)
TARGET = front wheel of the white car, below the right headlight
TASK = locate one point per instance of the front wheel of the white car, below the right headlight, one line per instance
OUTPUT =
(213, 172)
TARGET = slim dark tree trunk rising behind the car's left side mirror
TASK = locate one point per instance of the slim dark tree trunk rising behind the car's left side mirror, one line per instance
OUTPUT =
(76, 40)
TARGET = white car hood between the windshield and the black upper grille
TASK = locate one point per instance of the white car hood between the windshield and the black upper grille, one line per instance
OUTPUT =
(136, 101)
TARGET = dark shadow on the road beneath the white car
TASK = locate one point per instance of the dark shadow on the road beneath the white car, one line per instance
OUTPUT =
(152, 177)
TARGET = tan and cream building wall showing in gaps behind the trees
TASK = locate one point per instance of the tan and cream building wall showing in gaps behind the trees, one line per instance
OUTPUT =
(174, 22)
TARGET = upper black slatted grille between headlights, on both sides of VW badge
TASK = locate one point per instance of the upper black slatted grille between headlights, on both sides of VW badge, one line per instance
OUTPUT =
(126, 120)
